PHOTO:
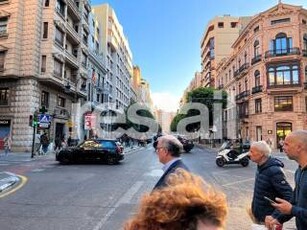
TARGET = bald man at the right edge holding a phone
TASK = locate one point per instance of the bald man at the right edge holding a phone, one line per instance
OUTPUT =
(295, 146)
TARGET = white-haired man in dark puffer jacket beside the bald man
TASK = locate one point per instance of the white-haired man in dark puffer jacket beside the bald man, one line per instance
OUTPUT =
(270, 181)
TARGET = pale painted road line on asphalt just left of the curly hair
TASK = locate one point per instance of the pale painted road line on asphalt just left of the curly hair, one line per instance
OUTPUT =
(126, 198)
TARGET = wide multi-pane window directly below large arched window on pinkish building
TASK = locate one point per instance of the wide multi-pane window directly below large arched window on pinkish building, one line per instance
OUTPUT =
(283, 75)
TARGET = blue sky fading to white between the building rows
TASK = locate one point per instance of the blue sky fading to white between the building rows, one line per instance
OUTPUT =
(164, 37)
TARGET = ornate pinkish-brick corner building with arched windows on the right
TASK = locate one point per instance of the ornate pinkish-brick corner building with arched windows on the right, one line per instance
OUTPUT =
(265, 76)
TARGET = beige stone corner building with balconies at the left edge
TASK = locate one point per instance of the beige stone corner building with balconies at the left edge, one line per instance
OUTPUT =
(44, 58)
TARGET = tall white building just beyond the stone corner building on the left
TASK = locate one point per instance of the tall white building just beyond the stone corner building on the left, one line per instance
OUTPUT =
(115, 46)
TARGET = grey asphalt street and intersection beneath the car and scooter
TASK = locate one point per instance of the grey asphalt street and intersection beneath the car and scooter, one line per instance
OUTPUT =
(99, 196)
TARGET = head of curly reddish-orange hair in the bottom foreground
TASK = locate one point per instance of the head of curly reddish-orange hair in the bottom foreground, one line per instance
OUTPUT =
(187, 203)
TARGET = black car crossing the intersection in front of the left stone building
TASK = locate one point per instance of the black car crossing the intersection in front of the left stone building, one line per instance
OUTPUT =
(94, 149)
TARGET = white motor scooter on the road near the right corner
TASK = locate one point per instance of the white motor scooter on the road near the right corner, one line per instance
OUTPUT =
(229, 155)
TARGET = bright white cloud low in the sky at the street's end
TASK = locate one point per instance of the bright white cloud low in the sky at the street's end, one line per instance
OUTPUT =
(166, 101)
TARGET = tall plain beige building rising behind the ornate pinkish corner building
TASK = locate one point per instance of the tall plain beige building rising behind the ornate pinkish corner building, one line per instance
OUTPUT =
(216, 43)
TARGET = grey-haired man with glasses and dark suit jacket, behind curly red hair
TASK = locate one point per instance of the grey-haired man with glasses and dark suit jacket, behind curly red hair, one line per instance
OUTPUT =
(168, 150)
